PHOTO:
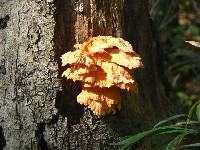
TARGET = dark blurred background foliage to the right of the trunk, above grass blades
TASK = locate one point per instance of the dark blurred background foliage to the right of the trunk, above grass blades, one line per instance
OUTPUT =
(177, 22)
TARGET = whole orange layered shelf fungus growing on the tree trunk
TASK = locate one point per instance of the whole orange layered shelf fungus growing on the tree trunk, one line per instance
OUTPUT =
(103, 64)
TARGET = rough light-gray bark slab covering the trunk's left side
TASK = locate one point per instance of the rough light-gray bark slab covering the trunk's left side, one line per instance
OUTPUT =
(28, 72)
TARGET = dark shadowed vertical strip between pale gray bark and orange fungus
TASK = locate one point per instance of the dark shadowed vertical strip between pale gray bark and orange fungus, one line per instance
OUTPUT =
(63, 41)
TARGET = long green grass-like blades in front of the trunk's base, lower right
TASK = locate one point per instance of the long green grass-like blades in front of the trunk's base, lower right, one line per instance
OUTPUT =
(184, 127)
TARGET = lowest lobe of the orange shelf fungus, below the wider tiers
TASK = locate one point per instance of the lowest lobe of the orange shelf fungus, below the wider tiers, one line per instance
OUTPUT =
(100, 100)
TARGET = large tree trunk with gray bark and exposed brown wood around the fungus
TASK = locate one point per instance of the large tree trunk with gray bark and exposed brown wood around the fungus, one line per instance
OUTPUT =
(39, 109)
